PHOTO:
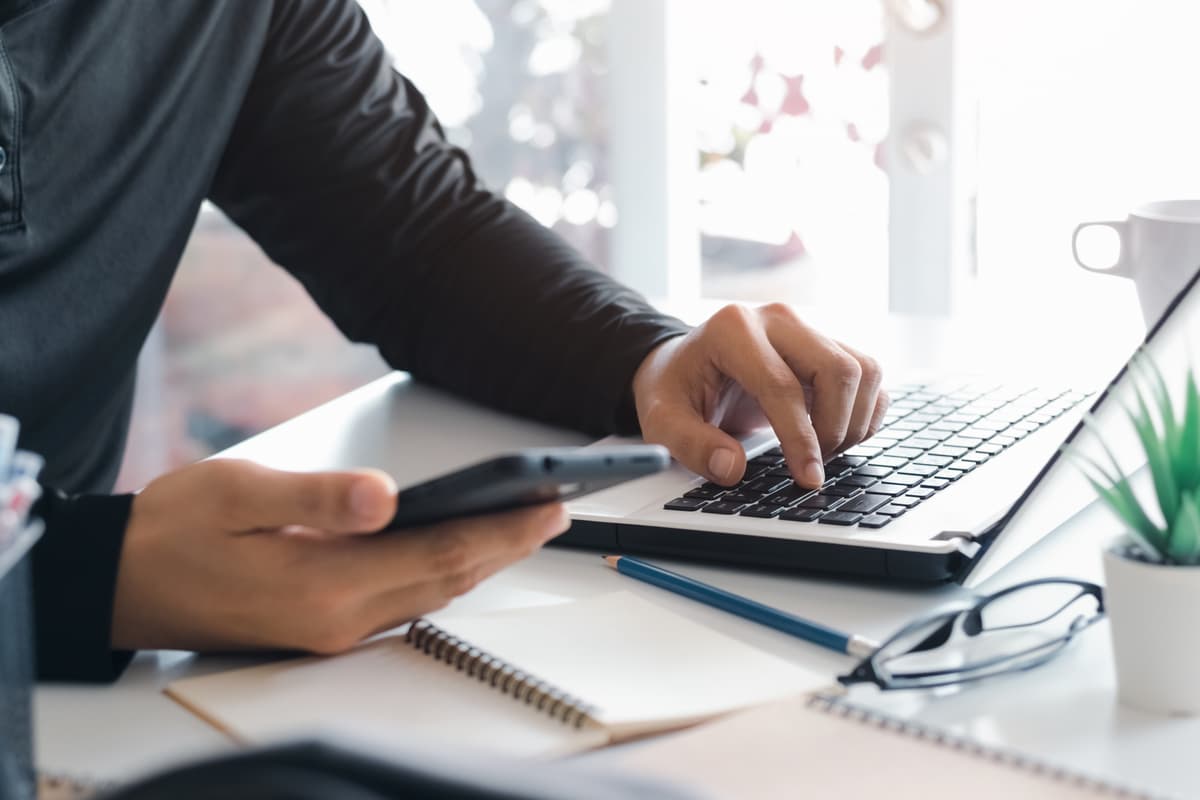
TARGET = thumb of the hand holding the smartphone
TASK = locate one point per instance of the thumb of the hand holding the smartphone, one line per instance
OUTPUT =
(347, 502)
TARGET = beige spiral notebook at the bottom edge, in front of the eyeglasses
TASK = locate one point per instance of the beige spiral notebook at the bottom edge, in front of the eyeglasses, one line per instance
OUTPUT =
(823, 745)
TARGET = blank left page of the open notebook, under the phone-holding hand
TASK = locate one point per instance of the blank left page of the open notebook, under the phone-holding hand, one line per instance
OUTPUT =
(386, 691)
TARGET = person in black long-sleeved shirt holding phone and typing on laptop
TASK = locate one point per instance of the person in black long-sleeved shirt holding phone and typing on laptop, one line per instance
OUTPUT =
(117, 121)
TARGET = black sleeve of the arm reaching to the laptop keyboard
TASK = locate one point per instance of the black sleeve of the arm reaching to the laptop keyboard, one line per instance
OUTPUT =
(340, 171)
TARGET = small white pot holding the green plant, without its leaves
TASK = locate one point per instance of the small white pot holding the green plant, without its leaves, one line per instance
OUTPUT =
(1156, 643)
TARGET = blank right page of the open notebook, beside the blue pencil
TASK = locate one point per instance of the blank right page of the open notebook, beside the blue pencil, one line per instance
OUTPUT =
(644, 667)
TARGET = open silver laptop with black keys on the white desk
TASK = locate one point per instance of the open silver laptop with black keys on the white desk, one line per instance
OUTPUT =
(962, 478)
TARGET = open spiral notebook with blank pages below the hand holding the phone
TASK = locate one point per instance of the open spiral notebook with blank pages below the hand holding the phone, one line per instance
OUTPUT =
(529, 682)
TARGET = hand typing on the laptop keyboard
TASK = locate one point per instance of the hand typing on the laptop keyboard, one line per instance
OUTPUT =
(747, 368)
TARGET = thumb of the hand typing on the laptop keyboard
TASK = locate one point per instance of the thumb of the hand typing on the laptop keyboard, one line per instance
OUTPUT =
(700, 447)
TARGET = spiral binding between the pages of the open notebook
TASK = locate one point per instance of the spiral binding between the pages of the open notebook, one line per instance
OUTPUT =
(500, 675)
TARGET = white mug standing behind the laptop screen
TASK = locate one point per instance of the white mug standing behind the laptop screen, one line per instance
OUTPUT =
(1160, 251)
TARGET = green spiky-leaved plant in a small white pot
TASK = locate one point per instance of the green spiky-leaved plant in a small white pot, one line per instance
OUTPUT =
(1153, 574)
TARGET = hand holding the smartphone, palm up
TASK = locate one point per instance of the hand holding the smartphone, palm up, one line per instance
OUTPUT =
(229, 555)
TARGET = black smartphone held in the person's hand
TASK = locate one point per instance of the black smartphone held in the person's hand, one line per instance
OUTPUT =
(525, 478)
